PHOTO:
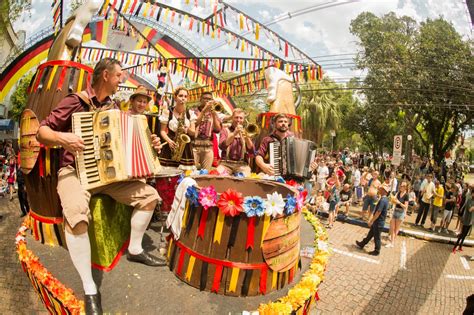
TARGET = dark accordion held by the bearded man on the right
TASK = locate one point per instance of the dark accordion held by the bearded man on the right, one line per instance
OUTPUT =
(292, 157)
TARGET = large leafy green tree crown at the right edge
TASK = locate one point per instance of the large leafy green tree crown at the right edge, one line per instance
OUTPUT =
(422, 72)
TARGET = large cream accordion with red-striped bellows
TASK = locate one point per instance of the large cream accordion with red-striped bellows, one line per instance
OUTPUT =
(117, 148)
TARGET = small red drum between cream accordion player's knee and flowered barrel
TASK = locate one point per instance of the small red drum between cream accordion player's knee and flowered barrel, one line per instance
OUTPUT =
(166, 184)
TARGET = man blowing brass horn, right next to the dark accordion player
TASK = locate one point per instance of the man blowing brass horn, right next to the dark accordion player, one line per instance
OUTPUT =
(236, 145)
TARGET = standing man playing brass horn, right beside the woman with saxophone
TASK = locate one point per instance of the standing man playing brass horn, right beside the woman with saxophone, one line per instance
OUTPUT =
(207, 124)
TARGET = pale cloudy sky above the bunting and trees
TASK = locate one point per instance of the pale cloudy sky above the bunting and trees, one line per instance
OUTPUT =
(318, 31)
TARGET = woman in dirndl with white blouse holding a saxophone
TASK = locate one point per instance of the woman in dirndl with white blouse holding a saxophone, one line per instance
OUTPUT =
(177, 129)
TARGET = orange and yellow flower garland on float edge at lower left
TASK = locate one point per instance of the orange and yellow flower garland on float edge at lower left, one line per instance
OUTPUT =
(31, 263)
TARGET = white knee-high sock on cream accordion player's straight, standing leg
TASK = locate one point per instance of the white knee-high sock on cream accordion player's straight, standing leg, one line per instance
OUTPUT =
(80, 251)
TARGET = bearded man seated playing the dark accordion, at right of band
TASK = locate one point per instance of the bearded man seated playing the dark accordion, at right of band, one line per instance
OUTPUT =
(280, 132)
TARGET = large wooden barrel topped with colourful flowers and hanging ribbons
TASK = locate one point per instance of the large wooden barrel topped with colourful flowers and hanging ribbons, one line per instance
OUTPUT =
(238, 236)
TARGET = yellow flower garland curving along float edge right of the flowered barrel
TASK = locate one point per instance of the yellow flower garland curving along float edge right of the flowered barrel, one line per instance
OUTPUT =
(306, 289)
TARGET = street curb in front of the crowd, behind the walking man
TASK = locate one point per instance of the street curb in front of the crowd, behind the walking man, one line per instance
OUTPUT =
(405, 232)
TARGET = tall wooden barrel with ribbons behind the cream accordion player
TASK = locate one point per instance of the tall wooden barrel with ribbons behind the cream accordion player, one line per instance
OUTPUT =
(52, 82)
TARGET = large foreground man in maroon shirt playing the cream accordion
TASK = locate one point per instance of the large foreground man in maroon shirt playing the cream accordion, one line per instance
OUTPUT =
(55, 130)
